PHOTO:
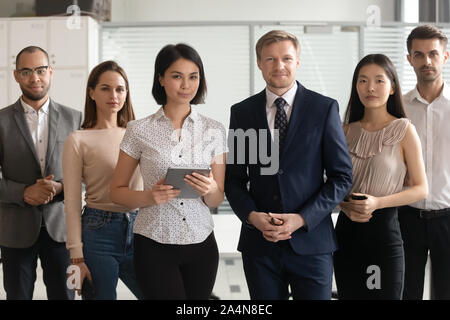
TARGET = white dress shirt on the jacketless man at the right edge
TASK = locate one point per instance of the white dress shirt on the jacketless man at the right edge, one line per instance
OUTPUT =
(432, 123)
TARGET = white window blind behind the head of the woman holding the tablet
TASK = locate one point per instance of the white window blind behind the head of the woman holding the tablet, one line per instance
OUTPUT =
(224, 51)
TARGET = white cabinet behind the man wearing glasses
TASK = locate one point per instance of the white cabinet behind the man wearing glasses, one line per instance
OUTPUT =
(73, 51)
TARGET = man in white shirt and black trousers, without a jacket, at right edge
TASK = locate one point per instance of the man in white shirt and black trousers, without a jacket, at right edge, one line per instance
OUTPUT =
(425, 225)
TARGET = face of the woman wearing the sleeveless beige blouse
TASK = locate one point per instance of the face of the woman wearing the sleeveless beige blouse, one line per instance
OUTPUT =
(373, 86)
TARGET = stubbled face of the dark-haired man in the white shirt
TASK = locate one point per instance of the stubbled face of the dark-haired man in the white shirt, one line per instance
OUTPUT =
(427, 57)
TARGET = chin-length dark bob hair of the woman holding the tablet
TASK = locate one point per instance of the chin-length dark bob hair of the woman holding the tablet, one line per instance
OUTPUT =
(165, 58)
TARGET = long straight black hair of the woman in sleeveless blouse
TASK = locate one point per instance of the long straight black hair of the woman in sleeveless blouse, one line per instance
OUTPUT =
(355, 108)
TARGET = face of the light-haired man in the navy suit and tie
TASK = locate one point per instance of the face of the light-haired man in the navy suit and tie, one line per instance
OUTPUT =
(278, 63)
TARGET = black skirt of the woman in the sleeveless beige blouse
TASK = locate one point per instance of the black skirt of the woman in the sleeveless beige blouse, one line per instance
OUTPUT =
(369, 263)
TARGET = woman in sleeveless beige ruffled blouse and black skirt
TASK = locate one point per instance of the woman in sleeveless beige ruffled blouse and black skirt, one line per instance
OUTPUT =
(384, 148)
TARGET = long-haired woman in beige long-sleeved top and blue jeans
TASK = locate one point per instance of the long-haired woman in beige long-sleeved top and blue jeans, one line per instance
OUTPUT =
(101, 240)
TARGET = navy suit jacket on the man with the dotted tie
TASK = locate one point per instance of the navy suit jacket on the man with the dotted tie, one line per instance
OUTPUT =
(315, 146)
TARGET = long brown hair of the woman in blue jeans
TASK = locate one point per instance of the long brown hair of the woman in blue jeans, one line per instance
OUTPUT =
(125, 115)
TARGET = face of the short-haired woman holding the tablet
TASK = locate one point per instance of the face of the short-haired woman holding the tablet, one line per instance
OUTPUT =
(181, 81)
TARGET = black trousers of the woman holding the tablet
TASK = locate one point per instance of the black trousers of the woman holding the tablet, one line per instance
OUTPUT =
(175, 272)
